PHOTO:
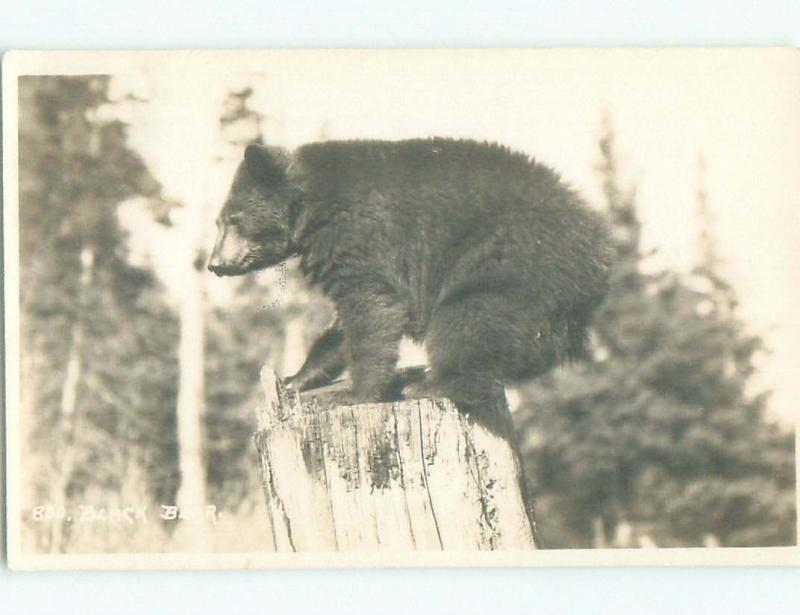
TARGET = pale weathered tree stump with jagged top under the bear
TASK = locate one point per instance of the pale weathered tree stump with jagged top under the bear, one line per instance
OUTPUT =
(408, 475)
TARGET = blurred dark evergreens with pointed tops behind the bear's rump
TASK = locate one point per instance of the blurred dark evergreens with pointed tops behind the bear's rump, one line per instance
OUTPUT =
(658, 438)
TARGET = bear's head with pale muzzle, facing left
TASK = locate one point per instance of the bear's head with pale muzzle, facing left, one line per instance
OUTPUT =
(254, 229)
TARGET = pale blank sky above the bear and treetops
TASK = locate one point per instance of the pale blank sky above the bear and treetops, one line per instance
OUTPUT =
(738, 109)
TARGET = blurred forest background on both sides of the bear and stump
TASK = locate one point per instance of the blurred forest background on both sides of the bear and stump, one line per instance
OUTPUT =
(134, 396)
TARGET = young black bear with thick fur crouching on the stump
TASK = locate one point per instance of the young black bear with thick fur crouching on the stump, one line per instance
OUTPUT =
(480, 252)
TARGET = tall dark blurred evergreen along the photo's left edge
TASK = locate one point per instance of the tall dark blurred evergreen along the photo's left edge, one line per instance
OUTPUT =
(97, 368)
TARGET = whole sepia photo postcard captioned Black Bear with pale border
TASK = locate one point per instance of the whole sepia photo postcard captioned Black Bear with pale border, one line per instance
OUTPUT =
(326, 308)
